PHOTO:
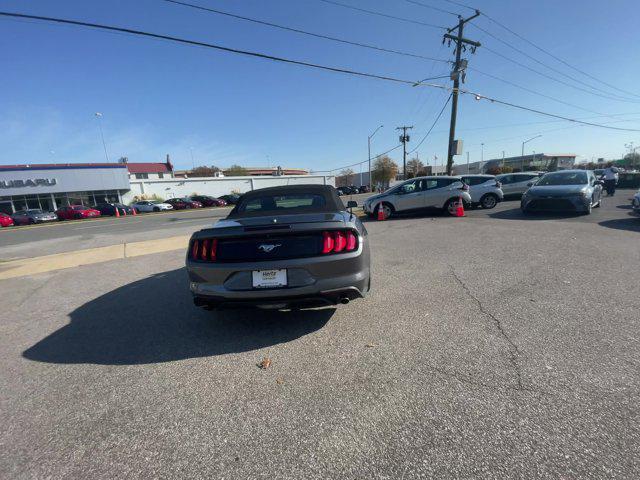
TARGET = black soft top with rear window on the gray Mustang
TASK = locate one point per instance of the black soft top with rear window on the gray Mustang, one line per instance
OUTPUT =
(288, 199)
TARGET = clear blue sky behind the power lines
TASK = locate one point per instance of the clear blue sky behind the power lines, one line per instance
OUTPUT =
(158, 98)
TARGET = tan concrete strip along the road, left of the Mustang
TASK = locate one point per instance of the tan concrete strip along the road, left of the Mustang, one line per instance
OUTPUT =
(59, 261)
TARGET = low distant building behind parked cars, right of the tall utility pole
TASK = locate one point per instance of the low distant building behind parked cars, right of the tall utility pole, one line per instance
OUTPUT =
(526, 163)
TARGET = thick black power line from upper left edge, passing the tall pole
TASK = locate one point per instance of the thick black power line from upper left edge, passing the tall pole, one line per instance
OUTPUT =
(295, 62)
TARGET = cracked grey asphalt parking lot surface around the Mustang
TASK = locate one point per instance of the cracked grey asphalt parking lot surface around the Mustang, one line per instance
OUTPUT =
(491, 346)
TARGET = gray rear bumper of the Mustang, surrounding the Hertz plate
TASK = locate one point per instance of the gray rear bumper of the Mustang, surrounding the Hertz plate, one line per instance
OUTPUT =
(311, 281)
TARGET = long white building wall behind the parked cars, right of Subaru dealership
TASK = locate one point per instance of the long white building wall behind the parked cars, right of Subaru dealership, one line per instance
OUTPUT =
(184, 187)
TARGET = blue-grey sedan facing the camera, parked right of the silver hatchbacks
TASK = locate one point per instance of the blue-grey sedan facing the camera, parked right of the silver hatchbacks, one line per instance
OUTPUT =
(567, 190)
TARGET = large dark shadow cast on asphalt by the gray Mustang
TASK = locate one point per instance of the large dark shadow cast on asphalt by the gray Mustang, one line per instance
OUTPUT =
(154, 320)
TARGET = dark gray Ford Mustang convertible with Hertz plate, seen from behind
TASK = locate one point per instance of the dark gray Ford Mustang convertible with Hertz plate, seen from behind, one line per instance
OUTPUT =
(281, 247)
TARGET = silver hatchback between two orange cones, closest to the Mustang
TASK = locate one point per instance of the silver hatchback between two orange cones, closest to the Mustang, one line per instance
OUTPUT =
(418, 194)
